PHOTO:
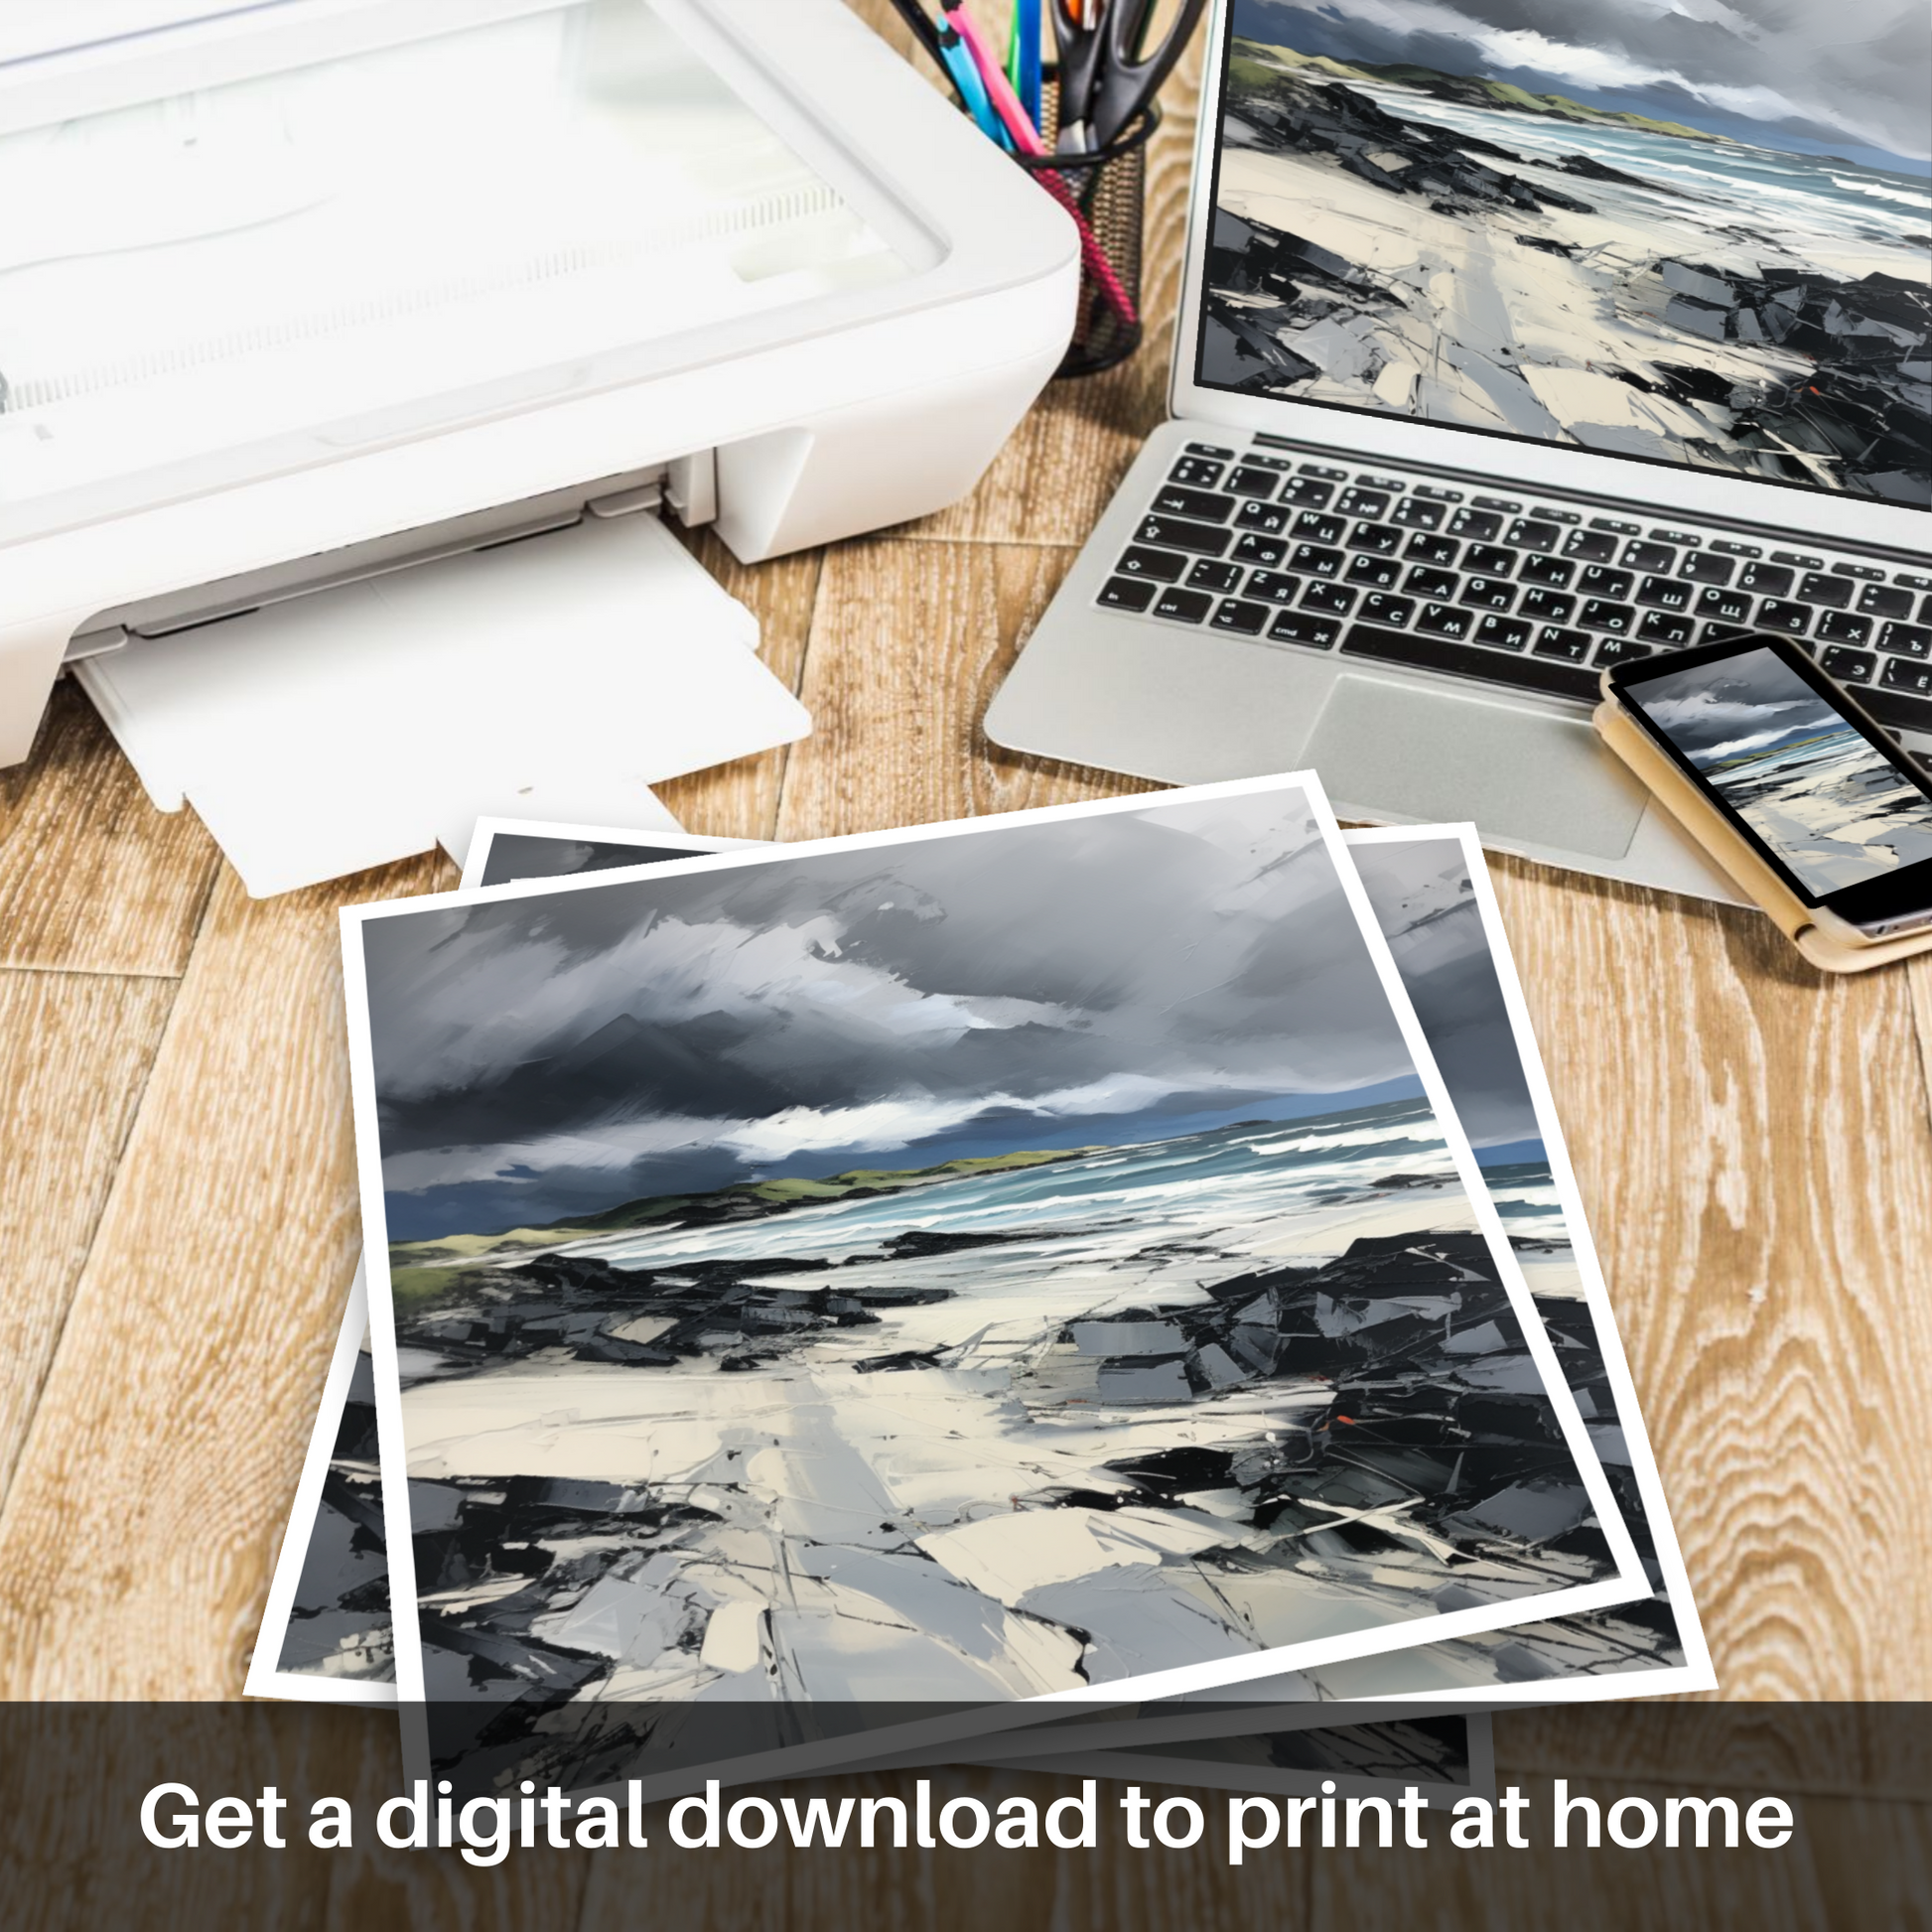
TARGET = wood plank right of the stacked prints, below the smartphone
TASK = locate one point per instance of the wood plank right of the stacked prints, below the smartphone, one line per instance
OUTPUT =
(1757, 1168)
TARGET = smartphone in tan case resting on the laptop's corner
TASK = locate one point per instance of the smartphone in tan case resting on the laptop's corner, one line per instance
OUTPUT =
(1786, 756)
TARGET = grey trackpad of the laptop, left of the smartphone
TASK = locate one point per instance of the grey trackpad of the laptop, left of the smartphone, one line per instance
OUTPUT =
(1386, 747)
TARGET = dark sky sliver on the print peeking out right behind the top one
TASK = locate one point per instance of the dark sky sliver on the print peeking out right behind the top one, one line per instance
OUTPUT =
(1427, 905)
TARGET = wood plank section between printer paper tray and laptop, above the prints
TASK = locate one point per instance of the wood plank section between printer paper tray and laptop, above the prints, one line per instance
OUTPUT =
(909, 646)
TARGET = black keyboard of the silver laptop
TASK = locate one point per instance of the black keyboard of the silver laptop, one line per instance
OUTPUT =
(1523, 594)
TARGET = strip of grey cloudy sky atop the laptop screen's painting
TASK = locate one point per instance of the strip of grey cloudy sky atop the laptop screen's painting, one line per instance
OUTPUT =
(1856, 72)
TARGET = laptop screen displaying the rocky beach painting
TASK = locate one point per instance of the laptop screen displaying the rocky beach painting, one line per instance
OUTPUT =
(1693, 235)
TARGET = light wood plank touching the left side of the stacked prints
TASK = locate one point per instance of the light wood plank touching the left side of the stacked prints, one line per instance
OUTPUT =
(142, 1521)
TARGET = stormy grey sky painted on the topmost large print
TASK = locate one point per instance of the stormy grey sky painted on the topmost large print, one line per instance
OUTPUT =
(1079, 982)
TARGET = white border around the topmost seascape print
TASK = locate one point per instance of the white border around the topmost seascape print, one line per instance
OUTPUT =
(1624, 1587)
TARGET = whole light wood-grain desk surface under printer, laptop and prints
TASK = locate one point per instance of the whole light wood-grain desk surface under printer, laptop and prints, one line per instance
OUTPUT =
(179, 1212)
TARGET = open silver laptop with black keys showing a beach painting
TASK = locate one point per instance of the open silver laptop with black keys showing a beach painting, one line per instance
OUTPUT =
(1518, 341)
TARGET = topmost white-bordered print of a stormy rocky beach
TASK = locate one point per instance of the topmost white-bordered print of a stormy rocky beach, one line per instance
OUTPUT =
(946, 1261)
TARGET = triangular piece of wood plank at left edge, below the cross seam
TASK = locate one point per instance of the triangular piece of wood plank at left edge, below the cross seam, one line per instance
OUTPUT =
(74, 1056)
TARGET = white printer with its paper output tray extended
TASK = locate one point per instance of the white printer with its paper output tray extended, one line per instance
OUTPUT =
(326, 300)
